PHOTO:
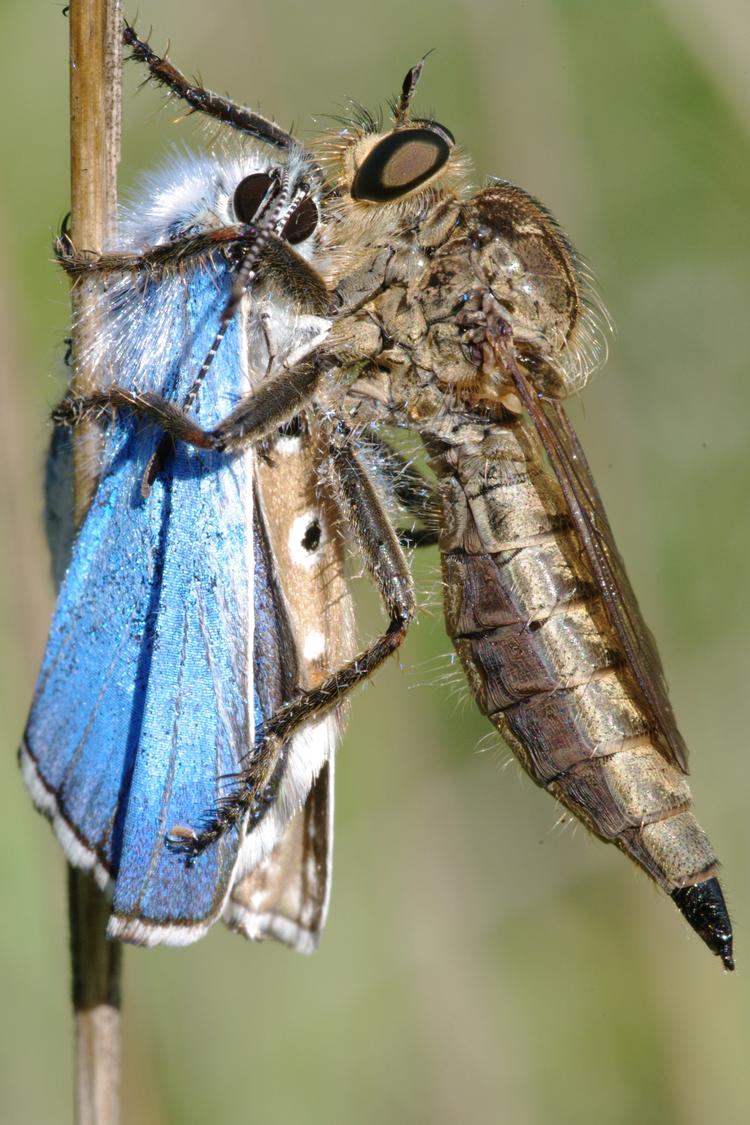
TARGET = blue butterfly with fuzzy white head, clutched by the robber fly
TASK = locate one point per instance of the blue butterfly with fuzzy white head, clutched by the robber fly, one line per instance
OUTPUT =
(170, 645)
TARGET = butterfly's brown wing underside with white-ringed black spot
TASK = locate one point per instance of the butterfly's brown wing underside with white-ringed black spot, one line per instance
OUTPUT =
(284, 895)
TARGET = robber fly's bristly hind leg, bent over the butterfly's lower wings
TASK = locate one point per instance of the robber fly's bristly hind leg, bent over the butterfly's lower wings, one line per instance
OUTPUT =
(364, 516)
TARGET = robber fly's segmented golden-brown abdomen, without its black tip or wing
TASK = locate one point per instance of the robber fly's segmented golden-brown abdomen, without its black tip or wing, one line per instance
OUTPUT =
(544, 661)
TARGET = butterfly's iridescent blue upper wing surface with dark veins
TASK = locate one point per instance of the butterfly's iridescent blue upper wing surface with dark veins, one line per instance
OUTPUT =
(142, 704)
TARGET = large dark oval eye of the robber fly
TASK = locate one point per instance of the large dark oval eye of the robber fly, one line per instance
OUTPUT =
(401, 163)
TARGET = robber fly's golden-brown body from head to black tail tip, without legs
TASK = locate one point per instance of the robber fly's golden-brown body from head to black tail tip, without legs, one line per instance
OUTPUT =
(481, 321)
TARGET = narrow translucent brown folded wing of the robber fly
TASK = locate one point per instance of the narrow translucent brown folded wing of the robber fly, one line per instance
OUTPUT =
(572, 470)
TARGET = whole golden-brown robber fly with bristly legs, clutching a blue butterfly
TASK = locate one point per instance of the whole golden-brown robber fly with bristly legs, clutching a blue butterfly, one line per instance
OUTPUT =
(467, 320)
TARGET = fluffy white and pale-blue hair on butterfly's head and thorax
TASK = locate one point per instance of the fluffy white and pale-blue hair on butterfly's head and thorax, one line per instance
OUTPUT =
(189, 196)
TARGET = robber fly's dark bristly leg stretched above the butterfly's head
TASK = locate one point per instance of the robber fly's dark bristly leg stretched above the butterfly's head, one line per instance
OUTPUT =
(202, 101)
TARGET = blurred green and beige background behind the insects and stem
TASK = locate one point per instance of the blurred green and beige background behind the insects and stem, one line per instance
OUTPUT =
(482, 964)
